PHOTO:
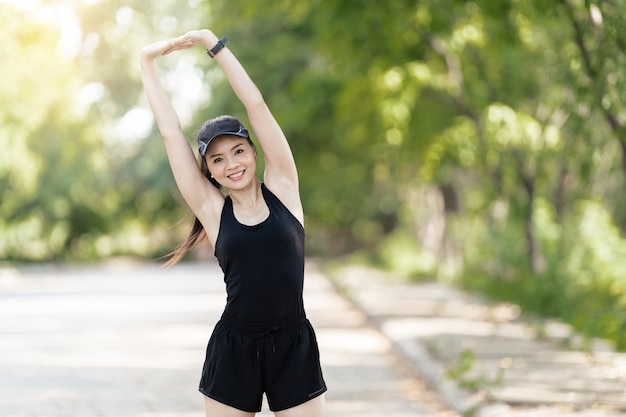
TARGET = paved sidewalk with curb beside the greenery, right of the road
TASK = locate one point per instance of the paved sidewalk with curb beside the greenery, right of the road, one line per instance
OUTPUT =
(484, 357)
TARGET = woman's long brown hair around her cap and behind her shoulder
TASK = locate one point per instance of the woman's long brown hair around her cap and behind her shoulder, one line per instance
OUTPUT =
(197, 232)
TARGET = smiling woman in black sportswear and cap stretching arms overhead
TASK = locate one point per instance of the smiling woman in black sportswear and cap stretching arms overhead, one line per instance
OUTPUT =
(263, 342)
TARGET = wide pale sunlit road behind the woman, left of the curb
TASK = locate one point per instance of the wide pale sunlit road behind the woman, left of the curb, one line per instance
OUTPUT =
(127, 340)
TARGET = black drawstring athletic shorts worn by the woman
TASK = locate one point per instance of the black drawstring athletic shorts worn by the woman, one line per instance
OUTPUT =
(245, 360)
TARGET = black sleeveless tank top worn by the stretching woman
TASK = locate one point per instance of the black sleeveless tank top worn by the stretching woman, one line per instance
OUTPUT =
(263, 264)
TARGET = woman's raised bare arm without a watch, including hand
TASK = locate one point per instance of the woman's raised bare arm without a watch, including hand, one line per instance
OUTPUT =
(202, 197)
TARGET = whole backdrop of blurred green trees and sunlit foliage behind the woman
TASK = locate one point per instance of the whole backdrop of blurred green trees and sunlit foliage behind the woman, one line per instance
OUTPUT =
(479, 143)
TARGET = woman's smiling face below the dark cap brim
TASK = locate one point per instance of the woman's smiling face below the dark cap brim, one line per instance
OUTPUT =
(231, 161)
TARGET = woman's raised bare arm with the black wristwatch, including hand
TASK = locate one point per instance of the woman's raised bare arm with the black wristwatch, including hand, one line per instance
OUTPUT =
(280, 169)
